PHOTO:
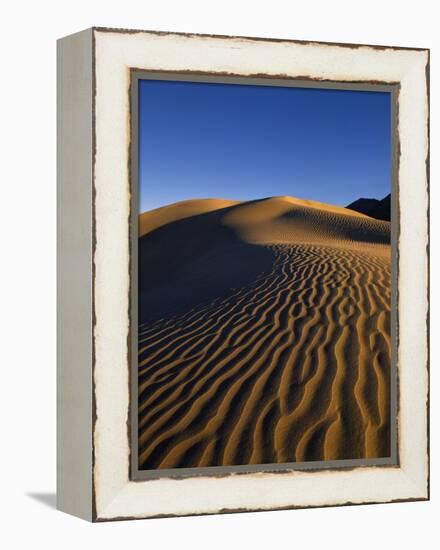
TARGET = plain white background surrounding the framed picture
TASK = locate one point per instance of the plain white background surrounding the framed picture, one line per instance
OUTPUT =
(27, 273)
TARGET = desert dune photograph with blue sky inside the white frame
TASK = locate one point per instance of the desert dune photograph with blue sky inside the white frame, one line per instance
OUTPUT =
(264, 274)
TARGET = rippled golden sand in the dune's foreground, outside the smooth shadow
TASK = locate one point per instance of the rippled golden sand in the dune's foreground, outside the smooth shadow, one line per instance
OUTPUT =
(293, 366)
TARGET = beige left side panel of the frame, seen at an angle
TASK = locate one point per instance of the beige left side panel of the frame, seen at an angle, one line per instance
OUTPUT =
(74, 274)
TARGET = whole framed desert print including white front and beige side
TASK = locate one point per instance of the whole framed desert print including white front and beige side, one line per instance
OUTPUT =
(242, 274)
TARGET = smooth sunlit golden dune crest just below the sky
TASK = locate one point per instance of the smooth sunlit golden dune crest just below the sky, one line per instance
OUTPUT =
(276, 220)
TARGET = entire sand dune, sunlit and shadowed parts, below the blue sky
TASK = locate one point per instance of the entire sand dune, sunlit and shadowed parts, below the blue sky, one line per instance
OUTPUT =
(264, 334)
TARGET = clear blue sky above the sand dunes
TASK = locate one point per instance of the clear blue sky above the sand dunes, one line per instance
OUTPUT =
(199, 140)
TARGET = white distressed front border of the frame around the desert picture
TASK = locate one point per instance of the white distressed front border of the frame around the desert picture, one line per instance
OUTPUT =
(115, 52)
